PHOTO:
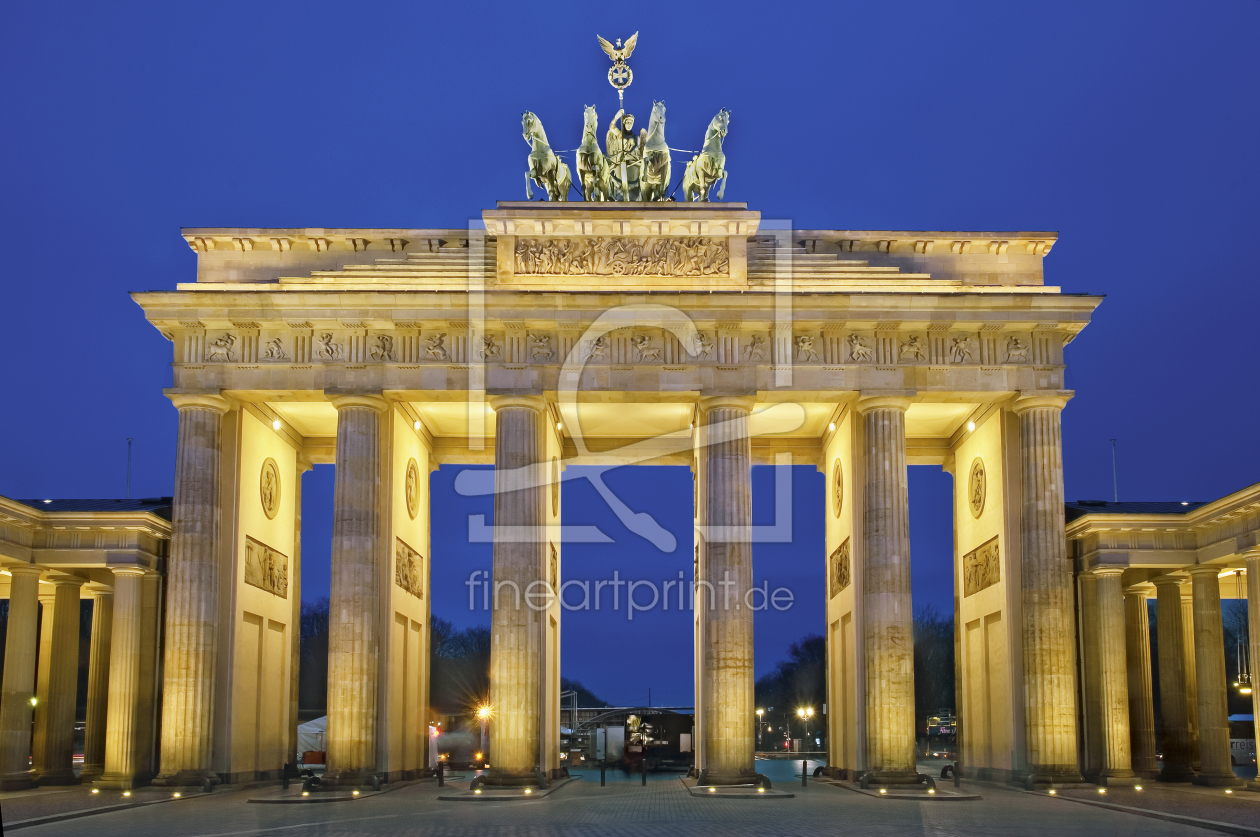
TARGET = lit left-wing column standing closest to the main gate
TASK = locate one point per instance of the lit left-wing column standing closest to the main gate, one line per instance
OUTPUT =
(124, 712)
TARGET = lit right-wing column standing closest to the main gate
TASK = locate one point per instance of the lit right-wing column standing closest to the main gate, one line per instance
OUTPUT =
(1113, 679)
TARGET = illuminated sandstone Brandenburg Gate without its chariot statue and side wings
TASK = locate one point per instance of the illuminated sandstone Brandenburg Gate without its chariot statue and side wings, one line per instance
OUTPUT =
(559, 333)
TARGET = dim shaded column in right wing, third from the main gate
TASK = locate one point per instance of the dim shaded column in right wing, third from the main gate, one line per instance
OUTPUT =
(1172, 680)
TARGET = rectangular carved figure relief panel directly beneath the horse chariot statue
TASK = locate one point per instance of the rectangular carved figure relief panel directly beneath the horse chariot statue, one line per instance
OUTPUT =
(695, 257)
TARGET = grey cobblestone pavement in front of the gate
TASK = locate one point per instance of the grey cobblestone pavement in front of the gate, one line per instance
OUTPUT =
(622, 810)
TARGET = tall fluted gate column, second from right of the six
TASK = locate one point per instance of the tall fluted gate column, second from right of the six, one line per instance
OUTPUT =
(888, 613)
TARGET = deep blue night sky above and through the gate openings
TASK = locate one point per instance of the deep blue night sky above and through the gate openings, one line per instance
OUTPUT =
(1132, 129)
